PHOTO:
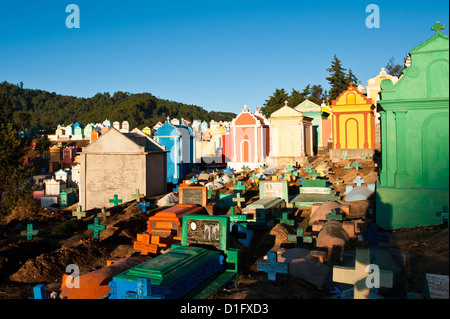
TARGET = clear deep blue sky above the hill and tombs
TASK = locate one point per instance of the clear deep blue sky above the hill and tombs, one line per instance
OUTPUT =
(217, 54)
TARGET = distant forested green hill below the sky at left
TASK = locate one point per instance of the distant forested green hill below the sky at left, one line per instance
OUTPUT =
(47, 109)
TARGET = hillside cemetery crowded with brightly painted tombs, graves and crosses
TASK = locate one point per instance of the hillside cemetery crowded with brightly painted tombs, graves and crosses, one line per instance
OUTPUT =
(133, 214)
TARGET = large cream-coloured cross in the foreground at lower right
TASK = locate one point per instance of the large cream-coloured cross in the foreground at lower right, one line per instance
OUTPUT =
(357, 275)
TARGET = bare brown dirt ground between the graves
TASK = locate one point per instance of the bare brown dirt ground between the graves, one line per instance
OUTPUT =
(23, 264)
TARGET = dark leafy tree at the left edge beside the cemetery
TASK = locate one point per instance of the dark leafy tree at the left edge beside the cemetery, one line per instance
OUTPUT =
(15, 179)
